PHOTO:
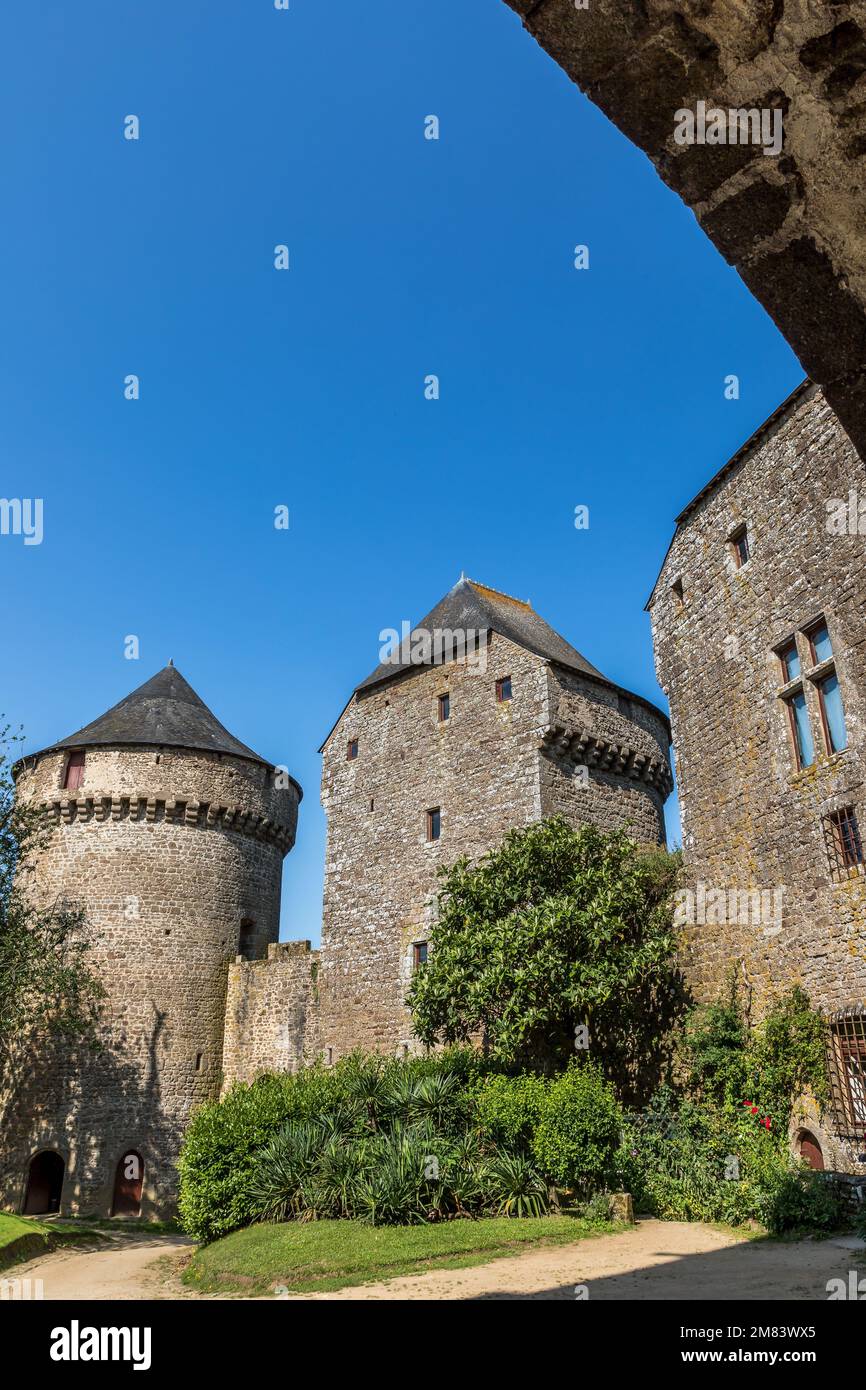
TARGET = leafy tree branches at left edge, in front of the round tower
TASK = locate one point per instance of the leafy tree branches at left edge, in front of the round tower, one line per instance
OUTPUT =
(45, 981)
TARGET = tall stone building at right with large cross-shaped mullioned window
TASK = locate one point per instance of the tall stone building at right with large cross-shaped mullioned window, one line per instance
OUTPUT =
(760, 632)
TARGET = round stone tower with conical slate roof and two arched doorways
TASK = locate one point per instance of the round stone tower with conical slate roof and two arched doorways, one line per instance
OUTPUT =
(170, 835)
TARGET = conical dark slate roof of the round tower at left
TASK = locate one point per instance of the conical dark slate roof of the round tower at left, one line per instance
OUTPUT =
(163, 712)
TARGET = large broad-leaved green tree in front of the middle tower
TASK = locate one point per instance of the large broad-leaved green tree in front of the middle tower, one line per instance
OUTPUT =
(555, 931)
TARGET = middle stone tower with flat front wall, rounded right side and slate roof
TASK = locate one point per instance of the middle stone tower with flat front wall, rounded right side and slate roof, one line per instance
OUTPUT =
(479, 721)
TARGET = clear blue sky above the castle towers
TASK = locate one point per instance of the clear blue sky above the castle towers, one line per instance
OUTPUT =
(305, 389)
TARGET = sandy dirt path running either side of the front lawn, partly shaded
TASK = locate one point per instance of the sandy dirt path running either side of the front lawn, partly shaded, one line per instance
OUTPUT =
(657, 1260)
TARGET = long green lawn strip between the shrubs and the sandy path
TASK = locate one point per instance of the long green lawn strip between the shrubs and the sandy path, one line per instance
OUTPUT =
(334, 1254)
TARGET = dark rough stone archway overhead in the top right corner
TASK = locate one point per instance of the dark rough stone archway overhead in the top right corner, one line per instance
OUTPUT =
(794, 226)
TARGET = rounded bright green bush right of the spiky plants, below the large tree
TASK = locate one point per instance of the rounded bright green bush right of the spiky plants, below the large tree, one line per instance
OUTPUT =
(579, 1129)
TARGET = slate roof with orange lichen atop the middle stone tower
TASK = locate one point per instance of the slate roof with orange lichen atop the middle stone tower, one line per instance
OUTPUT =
(473, 607)
